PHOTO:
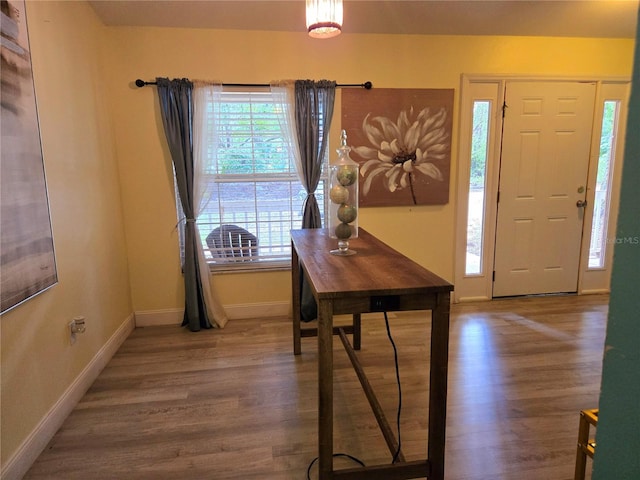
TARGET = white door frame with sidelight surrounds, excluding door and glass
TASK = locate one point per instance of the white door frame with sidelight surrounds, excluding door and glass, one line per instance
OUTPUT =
(491, 88)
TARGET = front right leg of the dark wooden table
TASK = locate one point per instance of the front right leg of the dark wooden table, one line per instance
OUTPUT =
(438, 385)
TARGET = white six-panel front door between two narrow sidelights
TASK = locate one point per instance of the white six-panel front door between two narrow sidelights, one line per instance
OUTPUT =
(543, 178)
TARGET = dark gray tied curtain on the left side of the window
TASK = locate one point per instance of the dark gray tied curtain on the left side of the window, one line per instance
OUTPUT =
(176, 106)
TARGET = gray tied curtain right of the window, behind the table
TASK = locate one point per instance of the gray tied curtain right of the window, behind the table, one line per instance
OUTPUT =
(313, 111)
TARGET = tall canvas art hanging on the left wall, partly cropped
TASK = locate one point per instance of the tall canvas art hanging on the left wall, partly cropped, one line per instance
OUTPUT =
(27, 260)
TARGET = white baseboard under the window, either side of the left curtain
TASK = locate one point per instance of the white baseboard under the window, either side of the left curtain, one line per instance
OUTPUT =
(150, 318)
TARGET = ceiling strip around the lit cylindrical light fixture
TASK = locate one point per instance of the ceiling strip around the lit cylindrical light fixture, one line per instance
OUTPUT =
(564, 18)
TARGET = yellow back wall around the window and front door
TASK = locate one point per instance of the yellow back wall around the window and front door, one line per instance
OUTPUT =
(425, 234)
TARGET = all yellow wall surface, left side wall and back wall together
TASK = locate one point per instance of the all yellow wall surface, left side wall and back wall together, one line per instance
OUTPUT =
(103, 142)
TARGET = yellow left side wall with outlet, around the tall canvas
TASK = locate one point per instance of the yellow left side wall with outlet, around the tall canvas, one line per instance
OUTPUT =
(38, 362)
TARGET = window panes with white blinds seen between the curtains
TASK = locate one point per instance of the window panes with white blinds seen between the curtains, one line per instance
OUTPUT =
(252, 184)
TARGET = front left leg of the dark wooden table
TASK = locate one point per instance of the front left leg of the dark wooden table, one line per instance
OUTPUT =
(325, 389)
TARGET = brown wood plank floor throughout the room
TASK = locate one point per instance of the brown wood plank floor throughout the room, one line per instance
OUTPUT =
(237, 404)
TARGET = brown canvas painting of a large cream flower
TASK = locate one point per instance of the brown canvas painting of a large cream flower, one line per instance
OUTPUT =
(401, 138)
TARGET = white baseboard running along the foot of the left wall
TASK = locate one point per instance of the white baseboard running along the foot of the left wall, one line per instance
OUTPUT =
(18, 465)
